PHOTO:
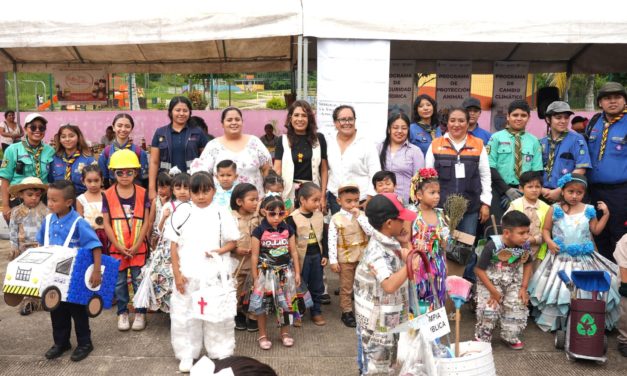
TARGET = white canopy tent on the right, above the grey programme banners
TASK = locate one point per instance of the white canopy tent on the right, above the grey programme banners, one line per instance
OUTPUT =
(552, 36)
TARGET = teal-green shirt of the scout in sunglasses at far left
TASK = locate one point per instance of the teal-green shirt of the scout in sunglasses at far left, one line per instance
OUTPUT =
(16, 152)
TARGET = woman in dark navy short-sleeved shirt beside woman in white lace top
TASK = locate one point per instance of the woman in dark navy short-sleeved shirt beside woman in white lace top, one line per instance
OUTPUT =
(175, 144)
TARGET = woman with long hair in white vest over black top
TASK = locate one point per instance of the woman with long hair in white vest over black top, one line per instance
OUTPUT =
(301, 154)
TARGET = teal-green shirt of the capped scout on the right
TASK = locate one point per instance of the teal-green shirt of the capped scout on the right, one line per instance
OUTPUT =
(501, 155)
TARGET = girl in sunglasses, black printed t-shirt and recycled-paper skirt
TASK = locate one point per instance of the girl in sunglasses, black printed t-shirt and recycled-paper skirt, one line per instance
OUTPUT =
(275, 270)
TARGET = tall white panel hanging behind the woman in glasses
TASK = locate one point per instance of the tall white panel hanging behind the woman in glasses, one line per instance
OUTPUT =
(356, 73)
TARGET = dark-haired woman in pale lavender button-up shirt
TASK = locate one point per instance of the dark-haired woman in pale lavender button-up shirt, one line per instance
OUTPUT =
(398, 155)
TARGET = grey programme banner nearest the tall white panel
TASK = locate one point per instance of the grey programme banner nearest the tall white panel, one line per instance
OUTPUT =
(401, 91)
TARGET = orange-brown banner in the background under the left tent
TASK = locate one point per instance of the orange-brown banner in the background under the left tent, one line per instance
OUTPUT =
(81, 86)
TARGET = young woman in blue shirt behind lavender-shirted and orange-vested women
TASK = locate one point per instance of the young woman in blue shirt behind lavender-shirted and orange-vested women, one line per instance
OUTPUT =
(425, 126)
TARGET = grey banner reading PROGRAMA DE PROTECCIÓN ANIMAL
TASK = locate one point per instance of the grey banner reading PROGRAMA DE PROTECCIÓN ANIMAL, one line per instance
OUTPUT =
(453, 82)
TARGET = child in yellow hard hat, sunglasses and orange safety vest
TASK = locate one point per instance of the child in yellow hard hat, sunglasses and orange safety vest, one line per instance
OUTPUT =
(126, 209)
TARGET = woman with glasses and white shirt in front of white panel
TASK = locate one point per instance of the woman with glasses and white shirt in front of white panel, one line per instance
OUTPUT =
(351, 158)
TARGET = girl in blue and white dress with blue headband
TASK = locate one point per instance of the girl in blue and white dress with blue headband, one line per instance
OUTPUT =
(568, 229)
